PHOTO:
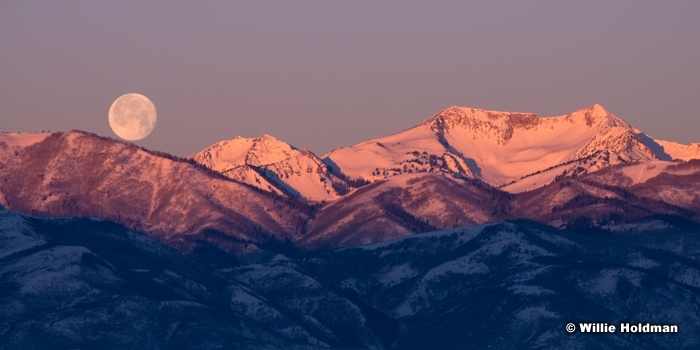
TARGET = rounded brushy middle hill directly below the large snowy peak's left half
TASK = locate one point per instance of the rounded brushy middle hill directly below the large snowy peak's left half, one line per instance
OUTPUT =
(401, 206)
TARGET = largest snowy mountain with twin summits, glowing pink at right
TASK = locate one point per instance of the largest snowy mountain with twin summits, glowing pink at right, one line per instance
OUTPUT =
(517, 151)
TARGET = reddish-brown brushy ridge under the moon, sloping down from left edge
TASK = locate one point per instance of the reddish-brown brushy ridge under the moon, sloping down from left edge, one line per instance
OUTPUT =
(79, 174)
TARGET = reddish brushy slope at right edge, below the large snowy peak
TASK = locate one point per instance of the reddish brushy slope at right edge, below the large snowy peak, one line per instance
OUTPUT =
(624, 197)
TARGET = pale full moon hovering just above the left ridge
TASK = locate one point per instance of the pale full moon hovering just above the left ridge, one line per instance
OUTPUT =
(132, 116)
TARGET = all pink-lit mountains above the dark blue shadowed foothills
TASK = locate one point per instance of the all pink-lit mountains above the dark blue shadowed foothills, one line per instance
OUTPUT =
(460, 167)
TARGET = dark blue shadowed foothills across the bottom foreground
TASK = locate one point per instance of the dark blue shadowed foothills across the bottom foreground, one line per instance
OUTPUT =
(83, 283)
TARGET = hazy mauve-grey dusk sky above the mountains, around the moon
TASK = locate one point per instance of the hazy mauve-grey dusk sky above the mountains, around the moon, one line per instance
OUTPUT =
(325, 74)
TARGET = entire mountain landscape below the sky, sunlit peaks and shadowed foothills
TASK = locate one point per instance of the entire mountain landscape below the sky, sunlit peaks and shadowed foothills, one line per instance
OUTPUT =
(473, 229)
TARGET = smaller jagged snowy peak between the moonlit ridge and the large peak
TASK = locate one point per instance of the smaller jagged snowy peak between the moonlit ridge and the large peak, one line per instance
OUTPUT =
(272, 165)
